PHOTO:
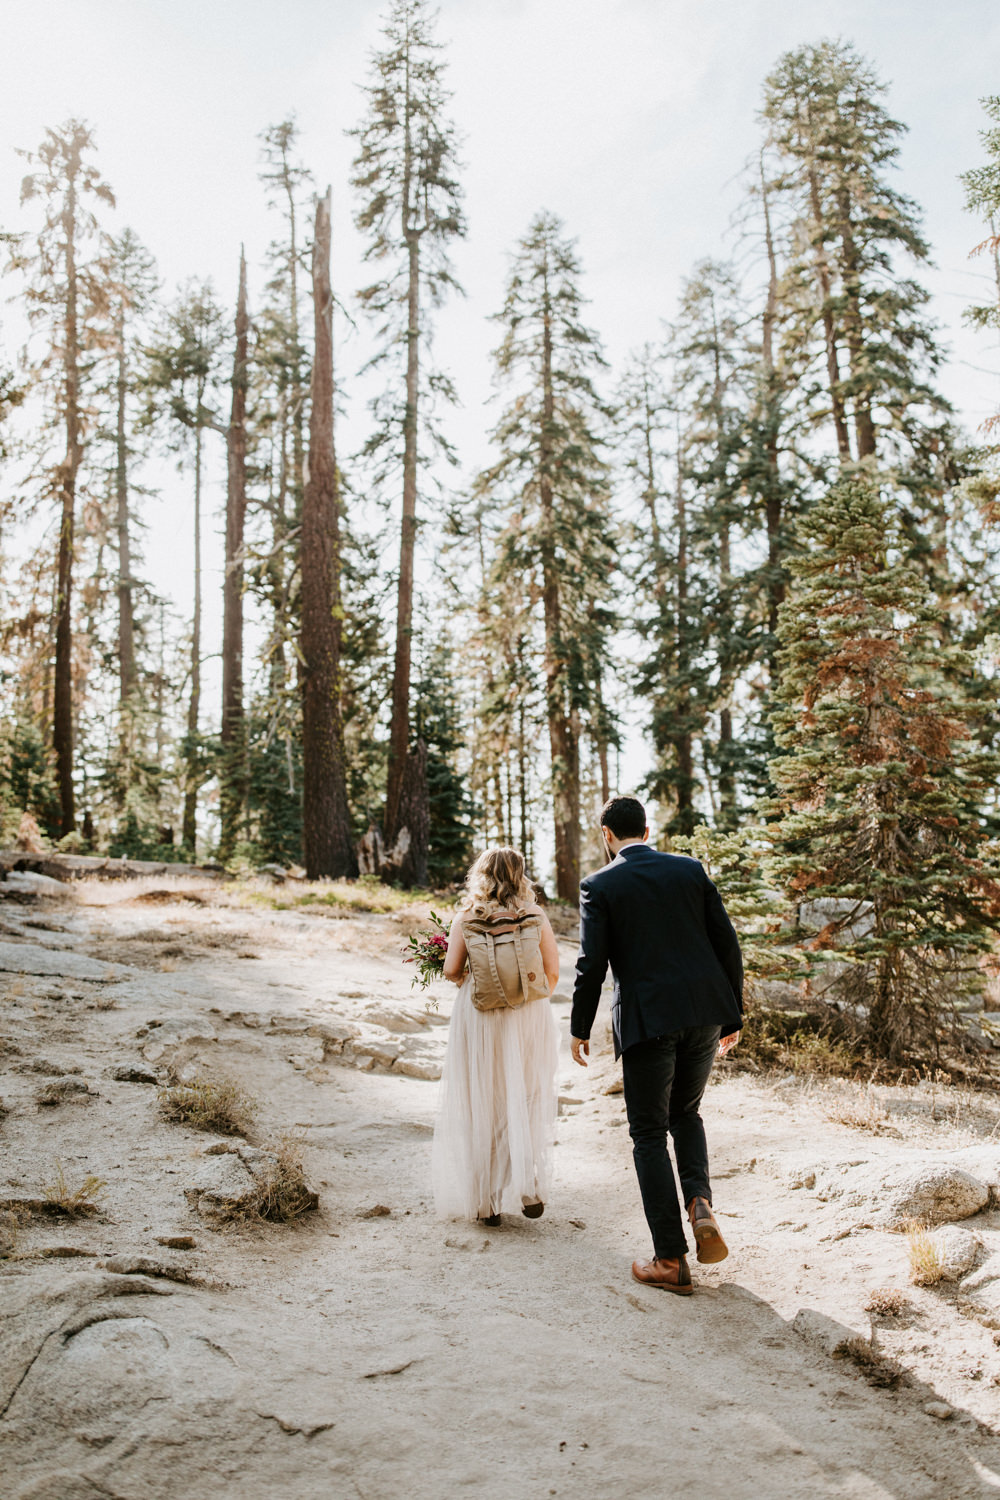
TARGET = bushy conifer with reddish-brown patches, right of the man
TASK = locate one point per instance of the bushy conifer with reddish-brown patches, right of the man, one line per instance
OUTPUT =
(879, 782)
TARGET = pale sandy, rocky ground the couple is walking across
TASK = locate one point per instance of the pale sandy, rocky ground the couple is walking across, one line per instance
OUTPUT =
(371, 1351)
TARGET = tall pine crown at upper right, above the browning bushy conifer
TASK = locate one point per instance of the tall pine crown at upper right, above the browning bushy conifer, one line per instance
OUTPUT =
(834, 146)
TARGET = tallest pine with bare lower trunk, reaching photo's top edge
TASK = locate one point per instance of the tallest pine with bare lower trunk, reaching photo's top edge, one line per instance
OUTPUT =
(410, 209)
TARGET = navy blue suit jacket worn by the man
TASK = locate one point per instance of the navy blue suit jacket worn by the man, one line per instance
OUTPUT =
(660, 925)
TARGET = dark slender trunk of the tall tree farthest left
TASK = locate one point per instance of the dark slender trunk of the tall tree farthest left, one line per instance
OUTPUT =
(68, 472)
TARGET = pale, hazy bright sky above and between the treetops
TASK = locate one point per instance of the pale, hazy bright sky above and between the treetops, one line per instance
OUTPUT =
(630, 119)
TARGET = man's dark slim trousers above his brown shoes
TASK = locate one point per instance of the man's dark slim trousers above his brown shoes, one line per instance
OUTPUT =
(665, 1081)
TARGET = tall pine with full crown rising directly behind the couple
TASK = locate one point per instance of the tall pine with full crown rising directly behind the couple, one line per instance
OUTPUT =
(552, 473)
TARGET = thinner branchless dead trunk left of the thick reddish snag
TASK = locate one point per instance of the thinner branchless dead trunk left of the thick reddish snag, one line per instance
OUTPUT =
(233, 736)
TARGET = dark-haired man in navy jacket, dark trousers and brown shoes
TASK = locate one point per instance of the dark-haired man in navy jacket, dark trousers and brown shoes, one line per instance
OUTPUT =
(678, 973)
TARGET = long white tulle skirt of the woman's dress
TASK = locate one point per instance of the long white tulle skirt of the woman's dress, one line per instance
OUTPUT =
(493, 1147)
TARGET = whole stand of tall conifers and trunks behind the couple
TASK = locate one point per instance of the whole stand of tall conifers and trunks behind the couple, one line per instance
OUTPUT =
(767, 539)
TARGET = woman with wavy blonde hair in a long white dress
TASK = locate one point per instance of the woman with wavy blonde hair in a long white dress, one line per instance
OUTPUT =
(499, 1094)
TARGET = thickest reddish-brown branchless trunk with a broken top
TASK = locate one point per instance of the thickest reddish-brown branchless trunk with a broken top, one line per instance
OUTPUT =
(328, 842)
